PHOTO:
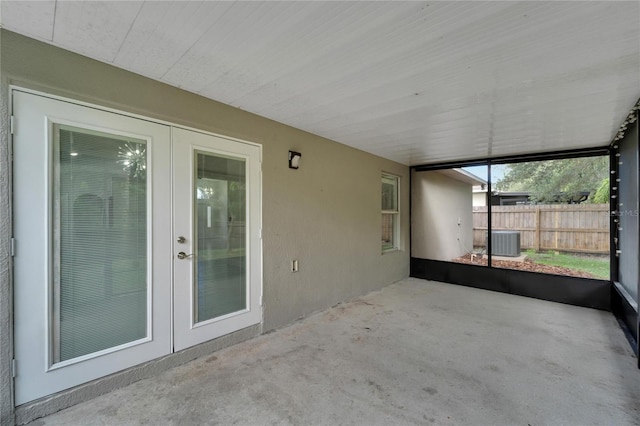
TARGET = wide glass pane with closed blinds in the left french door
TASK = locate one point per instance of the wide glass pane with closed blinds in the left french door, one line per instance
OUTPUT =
(100, 242)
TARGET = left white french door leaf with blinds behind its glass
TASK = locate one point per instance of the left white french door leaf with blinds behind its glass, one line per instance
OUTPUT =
(90, 223)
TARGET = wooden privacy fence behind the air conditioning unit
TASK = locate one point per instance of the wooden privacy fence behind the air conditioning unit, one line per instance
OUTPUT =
(582, 228)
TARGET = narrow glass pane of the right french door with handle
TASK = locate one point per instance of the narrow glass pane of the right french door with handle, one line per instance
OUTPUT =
(221, 244)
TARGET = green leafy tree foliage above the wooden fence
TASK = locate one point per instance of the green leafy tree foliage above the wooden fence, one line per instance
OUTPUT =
(556, 181)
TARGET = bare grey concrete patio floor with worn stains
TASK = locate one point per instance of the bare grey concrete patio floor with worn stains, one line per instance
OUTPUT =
(416, 352)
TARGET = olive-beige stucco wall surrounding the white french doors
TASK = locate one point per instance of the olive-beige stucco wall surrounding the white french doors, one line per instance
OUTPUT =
(326, 214)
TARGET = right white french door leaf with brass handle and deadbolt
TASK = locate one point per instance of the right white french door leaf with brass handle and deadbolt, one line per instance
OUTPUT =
(217, 265)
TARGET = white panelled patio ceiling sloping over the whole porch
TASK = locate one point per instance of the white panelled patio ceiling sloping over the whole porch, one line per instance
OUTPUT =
(415, 82)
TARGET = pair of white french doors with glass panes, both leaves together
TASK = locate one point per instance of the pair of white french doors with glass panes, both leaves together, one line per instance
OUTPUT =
(97, 262)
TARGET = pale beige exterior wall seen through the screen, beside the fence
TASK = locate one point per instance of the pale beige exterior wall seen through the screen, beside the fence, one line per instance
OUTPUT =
(438, 201)
